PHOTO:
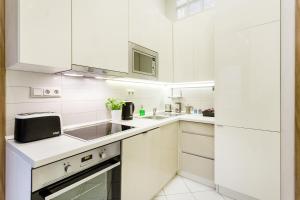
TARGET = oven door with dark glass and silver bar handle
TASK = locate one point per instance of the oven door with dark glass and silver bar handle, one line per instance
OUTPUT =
(99, 185)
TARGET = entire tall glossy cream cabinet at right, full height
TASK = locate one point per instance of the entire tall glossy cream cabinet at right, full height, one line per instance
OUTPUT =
(247, 98)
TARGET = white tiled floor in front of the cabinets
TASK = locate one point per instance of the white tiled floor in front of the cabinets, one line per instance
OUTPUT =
(184, 189)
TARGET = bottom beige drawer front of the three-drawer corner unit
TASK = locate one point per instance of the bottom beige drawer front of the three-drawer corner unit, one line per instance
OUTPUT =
(198, 166)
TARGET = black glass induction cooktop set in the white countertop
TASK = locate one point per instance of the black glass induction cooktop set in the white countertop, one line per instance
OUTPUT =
(97, 131)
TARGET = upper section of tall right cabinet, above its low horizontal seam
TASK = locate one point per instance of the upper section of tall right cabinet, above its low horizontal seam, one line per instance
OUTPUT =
(248, 64)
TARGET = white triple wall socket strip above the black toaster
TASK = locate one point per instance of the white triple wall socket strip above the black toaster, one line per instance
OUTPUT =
(48, 92)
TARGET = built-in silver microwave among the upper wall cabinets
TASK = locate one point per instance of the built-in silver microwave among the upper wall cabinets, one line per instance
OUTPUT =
(143, 62)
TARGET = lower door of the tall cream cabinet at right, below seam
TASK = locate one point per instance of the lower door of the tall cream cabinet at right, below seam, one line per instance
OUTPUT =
(248, 162)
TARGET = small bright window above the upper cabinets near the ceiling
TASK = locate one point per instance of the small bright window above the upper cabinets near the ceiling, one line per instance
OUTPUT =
(185, 8)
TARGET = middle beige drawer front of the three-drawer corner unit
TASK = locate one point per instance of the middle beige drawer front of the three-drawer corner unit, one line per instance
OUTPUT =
(198, 145)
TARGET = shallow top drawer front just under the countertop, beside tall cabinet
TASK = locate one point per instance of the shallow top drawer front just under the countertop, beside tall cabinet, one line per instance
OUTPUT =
(197, 128)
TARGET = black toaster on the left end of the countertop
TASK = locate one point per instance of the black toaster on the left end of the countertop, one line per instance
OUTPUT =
(37, 126)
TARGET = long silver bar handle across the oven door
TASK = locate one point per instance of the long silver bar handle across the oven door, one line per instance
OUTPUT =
(70, 187)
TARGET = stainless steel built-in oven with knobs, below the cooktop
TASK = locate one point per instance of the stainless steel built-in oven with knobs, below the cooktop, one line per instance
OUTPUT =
(92, 175)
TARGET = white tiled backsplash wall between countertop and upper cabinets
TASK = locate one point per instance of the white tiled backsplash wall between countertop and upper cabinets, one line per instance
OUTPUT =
(83, 100)
